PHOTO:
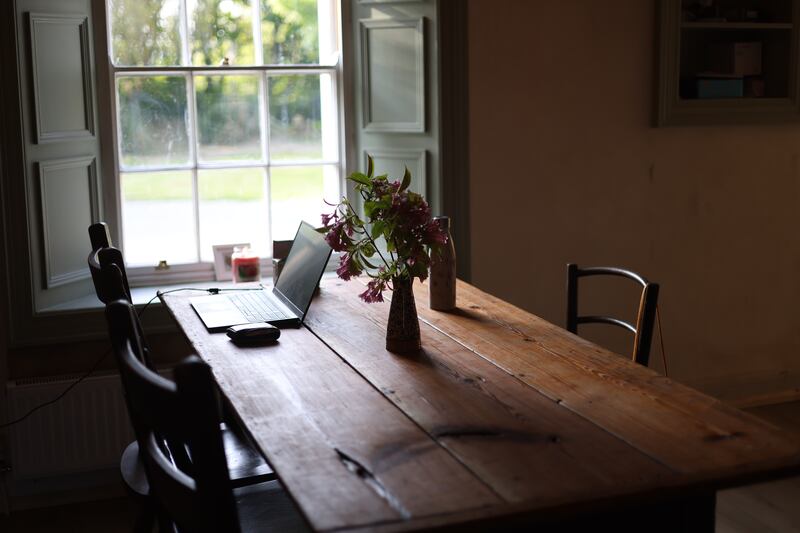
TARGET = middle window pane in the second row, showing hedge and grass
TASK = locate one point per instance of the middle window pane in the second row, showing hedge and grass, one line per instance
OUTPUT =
(228, 118)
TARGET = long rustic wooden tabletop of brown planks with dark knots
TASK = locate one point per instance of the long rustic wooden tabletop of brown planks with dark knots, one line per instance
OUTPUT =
(503, 417)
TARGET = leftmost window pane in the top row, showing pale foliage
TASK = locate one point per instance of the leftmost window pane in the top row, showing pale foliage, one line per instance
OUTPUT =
(145, 32)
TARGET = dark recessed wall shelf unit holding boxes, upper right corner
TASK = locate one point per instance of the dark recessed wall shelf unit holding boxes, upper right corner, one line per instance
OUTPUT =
(686, 61)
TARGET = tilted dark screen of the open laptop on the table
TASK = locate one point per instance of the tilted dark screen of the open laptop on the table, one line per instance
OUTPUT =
(303, 267)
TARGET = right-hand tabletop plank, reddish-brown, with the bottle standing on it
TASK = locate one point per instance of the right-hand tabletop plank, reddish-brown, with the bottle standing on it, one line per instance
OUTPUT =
(684, 429)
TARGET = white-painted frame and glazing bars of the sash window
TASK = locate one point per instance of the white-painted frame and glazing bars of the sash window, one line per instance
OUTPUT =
(204, 271)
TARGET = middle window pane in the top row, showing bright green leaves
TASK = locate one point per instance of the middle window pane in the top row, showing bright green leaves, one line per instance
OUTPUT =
(221, 29)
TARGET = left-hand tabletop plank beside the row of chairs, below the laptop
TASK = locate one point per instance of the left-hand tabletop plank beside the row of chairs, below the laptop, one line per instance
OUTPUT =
(346, 455)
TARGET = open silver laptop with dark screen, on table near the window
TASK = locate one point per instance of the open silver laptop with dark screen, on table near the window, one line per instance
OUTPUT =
(284, 306)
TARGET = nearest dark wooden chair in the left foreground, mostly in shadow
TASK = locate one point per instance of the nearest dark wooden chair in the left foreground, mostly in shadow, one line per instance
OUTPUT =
(185, 415)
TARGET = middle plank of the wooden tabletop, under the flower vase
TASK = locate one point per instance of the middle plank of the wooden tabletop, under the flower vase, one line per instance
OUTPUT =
(521, 443)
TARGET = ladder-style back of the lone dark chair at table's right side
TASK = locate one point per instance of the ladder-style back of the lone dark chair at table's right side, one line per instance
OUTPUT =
(645, 317)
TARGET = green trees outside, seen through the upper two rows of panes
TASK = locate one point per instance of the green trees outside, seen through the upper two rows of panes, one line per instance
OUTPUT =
(146, 32)
